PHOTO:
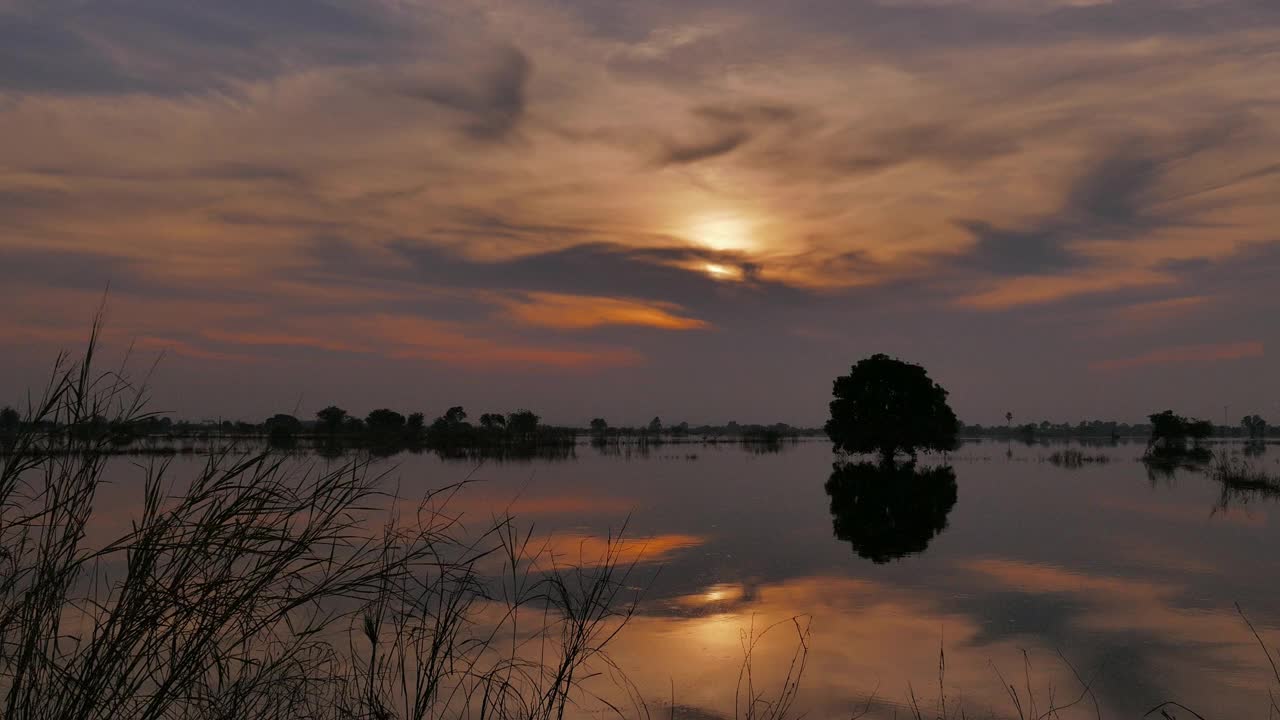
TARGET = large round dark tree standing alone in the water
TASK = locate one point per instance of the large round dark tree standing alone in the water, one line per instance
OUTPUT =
(885, 405)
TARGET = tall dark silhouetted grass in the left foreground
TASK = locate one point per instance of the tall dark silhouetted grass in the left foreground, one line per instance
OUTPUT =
(268, 589)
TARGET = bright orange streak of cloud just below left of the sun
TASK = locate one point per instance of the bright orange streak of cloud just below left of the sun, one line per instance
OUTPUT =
(582, 312)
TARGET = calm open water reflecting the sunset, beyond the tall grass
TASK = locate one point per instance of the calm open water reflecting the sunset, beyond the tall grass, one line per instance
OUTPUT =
(1133, 578)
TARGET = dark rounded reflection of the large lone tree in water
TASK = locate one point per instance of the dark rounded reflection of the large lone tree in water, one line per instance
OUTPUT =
(890, 512)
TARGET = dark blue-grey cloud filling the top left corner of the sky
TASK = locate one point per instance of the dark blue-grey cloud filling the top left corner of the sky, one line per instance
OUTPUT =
(171, 47)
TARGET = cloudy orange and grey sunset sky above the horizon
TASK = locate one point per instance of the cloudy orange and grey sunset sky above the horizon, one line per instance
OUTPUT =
(697, 209)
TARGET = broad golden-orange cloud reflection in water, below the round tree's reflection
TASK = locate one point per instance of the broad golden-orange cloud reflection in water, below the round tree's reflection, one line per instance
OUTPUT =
(866, 635)
